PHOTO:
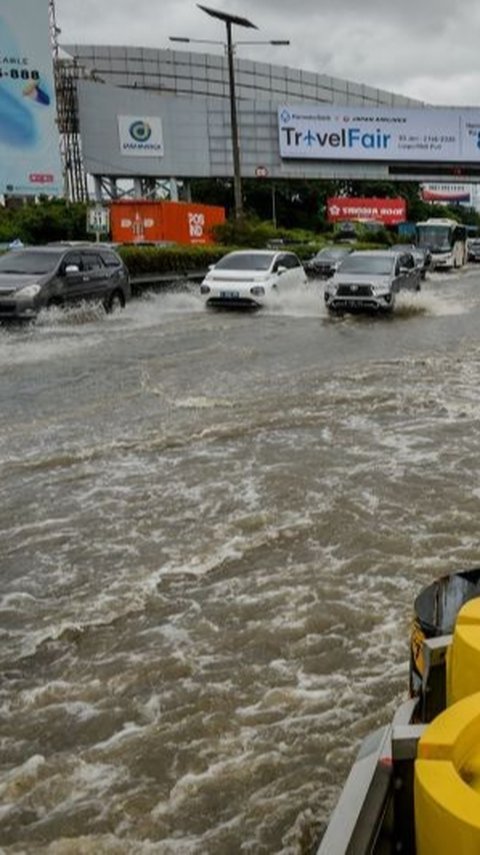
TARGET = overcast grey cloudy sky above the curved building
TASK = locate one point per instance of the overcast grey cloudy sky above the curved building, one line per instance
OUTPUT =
(426, 49)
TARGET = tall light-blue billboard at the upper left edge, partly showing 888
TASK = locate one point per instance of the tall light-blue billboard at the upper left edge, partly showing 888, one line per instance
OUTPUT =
(29, 140)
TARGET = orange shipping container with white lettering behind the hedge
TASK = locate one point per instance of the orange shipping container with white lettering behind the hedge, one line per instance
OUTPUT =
(140, 220)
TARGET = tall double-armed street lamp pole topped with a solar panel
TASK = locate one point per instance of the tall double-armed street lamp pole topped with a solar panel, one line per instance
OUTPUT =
(229, 21)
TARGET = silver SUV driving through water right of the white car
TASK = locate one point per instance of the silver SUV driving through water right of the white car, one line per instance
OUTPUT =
(371, 280)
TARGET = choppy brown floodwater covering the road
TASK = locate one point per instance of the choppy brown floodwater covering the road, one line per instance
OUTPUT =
(213, 529)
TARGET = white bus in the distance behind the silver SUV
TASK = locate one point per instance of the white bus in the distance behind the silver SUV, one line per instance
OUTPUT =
(446, 241)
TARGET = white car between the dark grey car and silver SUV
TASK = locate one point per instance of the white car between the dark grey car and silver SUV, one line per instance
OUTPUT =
(251, 278)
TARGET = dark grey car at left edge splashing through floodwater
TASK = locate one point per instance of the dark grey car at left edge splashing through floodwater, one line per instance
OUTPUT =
(35, 278)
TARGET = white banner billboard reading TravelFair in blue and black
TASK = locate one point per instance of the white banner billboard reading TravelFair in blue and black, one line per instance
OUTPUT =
(379, 133)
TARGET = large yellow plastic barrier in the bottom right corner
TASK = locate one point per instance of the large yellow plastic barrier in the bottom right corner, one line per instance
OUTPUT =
(447, 782)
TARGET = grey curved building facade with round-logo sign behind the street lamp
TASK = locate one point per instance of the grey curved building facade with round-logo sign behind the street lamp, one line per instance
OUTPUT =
(181, 99)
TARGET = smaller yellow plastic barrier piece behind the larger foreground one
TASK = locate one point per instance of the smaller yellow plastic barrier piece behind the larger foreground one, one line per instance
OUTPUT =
(463, 656)
